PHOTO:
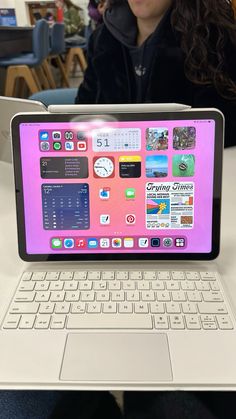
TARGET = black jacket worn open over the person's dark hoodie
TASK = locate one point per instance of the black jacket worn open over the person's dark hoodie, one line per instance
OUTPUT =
(109, 77)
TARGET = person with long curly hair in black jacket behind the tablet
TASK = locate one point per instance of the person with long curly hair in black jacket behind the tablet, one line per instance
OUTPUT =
(165, 51)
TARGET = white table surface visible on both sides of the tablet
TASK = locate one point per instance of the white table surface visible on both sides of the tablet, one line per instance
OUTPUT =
(11, 265)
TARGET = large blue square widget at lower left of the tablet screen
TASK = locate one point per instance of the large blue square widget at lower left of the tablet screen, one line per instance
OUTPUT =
(65, 206)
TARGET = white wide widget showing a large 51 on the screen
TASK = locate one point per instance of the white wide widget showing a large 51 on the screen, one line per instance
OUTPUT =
(120, 139)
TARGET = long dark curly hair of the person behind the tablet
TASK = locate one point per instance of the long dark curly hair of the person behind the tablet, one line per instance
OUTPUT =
(207, 32)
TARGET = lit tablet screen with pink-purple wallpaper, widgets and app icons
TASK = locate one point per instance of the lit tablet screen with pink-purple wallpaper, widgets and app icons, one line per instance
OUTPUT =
(148, 184)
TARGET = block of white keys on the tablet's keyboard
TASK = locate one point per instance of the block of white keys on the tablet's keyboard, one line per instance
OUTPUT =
(158, 300)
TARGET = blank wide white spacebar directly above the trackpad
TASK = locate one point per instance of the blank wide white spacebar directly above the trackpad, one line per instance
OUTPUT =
(108, 321)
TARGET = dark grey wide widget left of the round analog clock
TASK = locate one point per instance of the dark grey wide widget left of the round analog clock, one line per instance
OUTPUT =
(64, 167)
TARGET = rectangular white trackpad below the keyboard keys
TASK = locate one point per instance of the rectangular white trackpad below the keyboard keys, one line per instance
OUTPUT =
(123, 357)
